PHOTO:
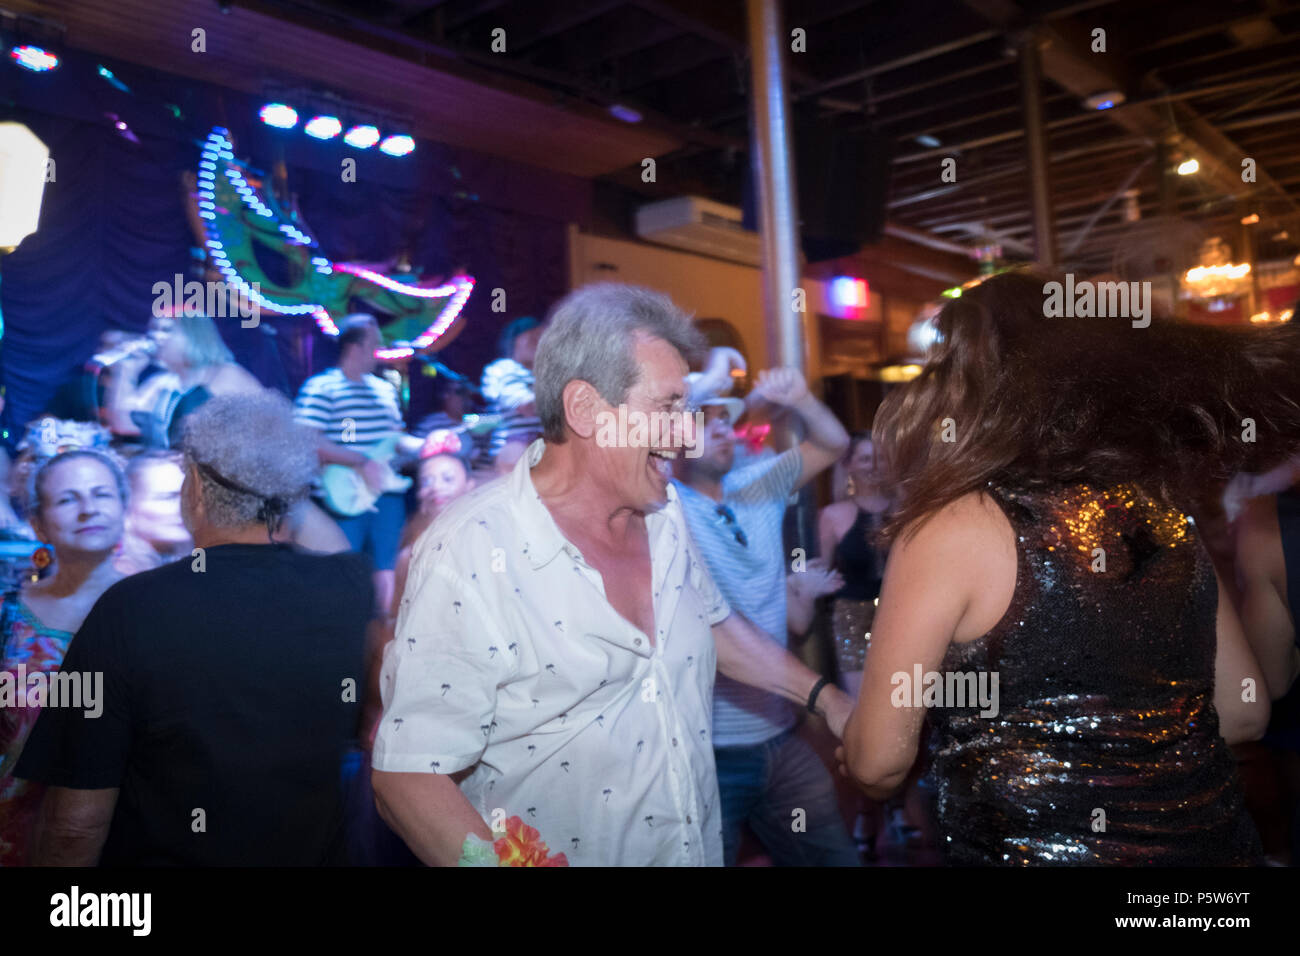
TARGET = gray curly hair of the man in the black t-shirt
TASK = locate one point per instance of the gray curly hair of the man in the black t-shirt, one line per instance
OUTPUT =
(252, 440)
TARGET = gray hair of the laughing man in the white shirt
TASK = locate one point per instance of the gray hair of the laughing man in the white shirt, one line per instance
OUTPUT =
(591, 336)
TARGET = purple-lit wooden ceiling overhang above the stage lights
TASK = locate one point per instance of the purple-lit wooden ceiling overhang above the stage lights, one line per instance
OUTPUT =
(249, 49)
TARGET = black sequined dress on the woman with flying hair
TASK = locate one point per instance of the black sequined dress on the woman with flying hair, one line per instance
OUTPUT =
(1106, 747)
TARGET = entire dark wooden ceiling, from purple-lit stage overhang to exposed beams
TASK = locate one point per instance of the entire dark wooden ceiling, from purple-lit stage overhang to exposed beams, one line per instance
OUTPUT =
(1217, 81)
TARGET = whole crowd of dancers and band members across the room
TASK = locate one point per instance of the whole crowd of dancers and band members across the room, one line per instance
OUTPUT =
(307, 634)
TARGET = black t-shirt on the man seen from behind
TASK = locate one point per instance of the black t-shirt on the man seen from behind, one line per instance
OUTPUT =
(227, 708)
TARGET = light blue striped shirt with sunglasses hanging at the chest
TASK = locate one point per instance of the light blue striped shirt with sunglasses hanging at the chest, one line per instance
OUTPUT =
(751, 577)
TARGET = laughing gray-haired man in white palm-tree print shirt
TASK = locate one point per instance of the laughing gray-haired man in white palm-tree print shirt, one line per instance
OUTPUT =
(558, 639)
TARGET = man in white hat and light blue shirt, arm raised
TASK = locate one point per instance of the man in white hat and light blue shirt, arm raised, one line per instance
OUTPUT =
(768, 776)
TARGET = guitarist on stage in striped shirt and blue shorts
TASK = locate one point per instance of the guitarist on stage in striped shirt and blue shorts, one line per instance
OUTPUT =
(356, 410)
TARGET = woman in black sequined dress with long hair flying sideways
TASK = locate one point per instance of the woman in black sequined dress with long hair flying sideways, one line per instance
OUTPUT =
(1047, 600)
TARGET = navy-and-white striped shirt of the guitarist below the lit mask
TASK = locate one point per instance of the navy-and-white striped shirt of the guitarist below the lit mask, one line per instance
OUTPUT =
(350, 413)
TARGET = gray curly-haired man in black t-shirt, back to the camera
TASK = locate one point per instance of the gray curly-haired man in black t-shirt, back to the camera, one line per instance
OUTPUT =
(232, 678)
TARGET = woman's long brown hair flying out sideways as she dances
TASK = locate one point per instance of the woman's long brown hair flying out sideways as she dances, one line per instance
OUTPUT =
(1015, 397)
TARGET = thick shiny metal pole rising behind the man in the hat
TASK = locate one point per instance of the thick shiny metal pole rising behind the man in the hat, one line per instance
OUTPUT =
(774, 175)
